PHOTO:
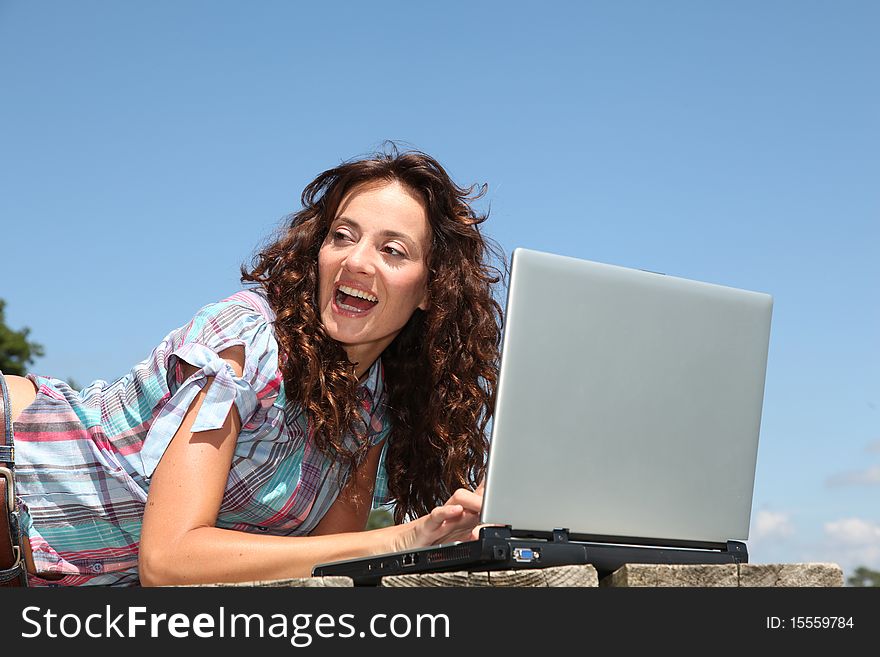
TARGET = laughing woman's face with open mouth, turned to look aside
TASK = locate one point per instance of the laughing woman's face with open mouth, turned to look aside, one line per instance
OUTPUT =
(372, 268)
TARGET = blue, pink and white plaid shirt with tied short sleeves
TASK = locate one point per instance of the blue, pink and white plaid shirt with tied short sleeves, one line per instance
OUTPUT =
(84, 459)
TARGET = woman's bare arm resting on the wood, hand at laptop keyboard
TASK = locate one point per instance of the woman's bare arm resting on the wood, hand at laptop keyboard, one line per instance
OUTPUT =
(181, 545)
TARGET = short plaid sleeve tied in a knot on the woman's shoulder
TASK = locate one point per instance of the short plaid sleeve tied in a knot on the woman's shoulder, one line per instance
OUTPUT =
(215, 328)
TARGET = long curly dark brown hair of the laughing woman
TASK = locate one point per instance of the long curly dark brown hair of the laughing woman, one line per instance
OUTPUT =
(441, 370)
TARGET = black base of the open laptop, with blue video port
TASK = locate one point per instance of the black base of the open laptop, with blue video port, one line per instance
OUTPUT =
(499, 549)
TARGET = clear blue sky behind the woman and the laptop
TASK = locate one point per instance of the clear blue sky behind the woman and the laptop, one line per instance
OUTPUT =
(147, 149)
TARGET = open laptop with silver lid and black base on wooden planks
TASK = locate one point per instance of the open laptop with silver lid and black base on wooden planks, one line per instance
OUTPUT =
(626, 425)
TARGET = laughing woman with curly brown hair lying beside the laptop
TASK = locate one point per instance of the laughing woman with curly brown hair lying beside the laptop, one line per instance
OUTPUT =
(253, 441)
